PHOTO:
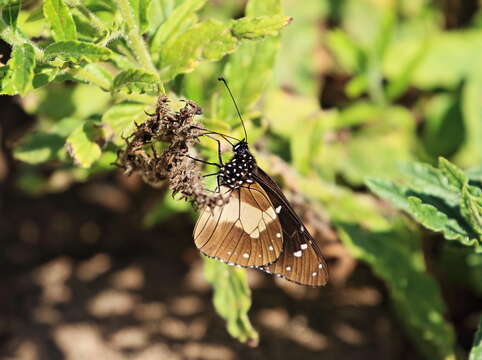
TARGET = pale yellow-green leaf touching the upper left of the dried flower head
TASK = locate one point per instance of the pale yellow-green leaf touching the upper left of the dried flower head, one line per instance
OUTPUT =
(121, 120)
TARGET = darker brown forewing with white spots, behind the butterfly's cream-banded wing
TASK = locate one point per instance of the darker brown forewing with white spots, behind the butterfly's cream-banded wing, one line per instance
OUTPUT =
(301, 260)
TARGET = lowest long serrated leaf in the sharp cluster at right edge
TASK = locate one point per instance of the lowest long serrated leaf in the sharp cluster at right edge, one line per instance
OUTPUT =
(435, 220)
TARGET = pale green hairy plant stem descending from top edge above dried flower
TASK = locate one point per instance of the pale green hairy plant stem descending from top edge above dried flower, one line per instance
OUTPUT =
(134, 37)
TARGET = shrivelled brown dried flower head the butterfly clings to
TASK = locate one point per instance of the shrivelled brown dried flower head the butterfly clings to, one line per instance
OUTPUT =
(177, 132)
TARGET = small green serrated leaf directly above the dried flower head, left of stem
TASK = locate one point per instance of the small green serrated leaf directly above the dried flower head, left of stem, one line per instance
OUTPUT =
(136, 80)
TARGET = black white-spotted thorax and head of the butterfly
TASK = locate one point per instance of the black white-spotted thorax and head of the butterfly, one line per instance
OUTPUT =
(239, 170)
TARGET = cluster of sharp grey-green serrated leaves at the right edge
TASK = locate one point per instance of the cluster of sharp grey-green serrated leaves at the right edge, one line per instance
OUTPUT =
(440, 199)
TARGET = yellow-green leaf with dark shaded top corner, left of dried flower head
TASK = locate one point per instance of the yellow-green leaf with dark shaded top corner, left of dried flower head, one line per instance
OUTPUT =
(83, 144)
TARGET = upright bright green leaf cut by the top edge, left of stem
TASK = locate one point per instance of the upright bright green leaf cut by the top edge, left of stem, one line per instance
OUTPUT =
(60, 19)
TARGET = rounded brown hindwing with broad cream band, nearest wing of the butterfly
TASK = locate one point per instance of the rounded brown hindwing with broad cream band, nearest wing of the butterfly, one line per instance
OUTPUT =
(245, 231)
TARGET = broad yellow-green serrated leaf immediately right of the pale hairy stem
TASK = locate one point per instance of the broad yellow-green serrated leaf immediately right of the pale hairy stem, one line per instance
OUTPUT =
(207, 41)
